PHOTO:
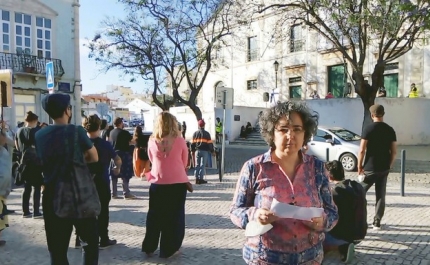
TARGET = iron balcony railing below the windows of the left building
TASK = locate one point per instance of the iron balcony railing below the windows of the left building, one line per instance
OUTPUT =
(24, 63)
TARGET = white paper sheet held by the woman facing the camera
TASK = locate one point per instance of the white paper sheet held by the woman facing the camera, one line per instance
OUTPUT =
(284, 210)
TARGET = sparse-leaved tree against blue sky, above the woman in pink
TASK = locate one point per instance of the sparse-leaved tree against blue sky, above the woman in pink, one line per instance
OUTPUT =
(168, 42)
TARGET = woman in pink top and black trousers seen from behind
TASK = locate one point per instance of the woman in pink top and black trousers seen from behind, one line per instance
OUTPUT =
(168, 154)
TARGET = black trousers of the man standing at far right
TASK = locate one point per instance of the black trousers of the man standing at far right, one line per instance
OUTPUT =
(380, 181)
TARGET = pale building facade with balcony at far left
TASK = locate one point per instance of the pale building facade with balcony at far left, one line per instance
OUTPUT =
(33, 33)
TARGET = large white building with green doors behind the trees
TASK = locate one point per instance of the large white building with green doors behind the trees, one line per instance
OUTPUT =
(306, 63)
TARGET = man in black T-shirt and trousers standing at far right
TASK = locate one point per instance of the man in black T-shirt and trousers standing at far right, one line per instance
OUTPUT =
(376, 157)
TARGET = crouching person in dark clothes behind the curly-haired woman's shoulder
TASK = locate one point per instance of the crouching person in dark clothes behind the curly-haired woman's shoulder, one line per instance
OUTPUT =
(350, 199)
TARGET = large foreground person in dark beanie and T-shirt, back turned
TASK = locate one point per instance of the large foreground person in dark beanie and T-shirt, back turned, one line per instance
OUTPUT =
(51, 149)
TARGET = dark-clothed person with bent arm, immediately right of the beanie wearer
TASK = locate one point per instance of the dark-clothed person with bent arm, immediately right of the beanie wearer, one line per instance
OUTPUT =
(100, 171)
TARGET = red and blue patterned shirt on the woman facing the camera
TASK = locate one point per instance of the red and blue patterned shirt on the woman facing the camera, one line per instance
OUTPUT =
(290, 241)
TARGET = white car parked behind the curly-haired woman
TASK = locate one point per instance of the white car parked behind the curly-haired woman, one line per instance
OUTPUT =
(343, 145)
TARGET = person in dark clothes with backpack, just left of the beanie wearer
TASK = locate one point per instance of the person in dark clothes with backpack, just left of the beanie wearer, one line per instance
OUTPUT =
(30, 168)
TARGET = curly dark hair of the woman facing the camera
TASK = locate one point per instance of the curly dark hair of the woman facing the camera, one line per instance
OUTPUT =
(270, 117)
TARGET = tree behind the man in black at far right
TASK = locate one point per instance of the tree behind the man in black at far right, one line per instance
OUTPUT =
(389, 28)
